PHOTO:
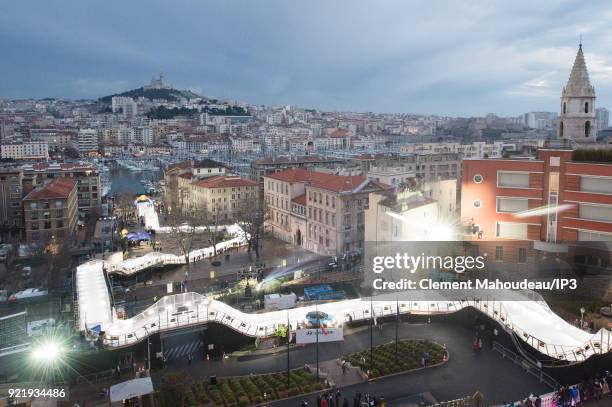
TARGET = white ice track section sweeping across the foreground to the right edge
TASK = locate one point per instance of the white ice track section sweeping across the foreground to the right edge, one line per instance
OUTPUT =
(529, 317)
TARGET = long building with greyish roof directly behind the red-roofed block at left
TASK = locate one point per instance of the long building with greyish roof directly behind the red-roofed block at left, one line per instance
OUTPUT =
(89, 191)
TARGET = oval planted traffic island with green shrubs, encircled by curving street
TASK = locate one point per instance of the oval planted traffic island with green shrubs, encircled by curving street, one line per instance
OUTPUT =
(389, 359)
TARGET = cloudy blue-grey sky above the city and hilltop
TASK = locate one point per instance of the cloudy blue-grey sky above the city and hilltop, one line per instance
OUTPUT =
(444, 57)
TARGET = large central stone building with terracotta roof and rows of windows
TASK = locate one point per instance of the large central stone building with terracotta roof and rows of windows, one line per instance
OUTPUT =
(323, 213)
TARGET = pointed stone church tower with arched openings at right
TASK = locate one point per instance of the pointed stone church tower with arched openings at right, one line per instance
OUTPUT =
(577, 120)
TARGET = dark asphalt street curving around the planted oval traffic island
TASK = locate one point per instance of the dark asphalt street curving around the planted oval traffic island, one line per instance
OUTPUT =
(465, 372)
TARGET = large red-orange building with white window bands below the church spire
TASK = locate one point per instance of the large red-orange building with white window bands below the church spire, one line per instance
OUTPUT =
(558, 196)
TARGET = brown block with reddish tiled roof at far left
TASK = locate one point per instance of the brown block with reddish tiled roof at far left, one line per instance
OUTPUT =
(50, 211)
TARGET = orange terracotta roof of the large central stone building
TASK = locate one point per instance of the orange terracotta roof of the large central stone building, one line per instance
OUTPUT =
(336, 183)
